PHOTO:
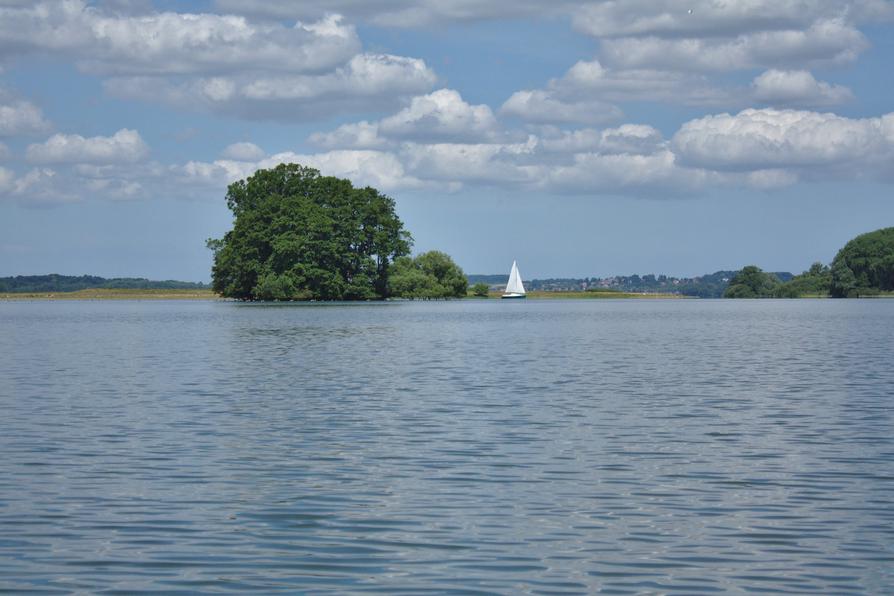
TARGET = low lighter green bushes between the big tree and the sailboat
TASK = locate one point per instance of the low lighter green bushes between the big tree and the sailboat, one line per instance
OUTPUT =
(430, 275)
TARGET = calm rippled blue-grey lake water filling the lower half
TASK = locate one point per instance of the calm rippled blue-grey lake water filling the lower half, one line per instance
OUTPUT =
(543, 447)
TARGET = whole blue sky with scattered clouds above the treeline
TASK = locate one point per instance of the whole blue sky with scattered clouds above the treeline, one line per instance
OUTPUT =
(582, 139)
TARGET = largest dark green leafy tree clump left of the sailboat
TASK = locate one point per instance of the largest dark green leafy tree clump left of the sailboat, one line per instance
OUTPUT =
(298, 235)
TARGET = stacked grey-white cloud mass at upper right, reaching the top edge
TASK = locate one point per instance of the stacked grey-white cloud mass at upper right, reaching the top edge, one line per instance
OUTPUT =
(667, 52)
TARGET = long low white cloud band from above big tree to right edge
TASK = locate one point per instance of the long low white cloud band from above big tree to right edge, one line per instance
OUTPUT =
(756, 148)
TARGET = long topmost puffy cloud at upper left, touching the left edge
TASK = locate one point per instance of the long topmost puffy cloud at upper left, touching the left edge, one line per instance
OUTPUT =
(172, 43)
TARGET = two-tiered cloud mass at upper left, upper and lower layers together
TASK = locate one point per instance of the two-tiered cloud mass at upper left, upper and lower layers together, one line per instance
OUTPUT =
(223, 63)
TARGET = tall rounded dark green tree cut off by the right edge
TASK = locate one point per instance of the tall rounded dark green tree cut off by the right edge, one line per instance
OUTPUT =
(865, 266)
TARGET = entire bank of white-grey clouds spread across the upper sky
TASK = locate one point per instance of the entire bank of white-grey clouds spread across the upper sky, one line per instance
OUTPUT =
(301, 62)
